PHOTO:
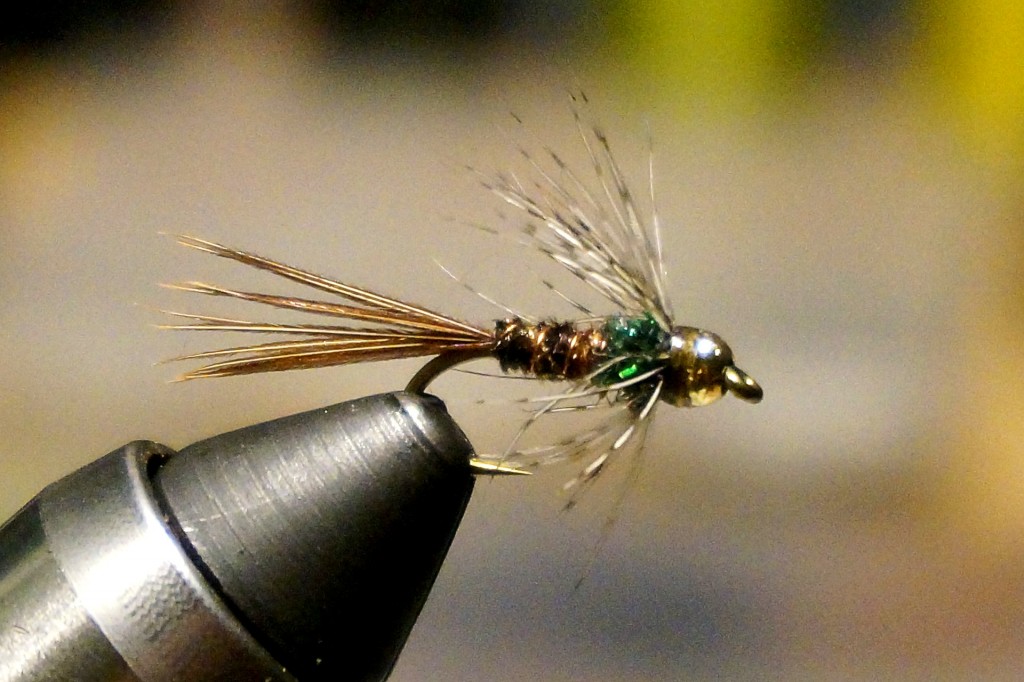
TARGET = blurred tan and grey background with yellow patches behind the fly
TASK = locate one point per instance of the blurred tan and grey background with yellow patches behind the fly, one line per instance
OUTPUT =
(841, 187)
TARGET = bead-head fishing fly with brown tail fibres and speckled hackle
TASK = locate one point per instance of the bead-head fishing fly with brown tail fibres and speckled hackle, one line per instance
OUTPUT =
(628, 362)
